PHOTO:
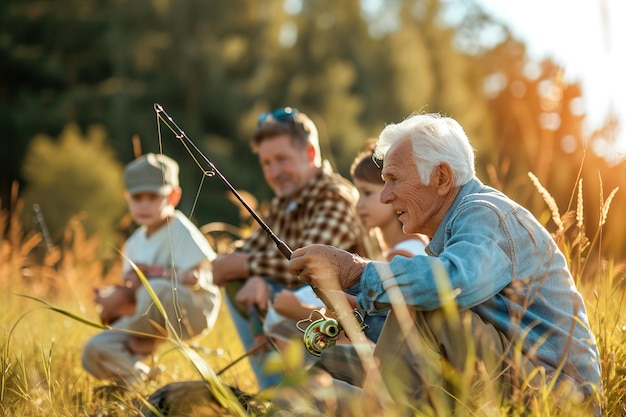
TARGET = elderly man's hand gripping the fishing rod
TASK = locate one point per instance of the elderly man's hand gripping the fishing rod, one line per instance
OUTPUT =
(326, 267)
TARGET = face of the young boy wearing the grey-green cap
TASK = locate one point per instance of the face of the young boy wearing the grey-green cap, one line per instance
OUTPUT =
(149, 209)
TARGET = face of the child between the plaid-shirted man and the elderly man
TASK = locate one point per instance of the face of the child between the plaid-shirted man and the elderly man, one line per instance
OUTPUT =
(371, 211)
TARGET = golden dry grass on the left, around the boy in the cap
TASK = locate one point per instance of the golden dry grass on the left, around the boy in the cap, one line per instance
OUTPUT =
(46, 309)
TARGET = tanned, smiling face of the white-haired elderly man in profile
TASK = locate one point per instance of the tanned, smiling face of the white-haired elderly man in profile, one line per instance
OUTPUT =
(416, 204)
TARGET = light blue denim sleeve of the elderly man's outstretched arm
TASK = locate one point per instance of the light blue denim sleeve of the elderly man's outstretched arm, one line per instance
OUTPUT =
(475, 263)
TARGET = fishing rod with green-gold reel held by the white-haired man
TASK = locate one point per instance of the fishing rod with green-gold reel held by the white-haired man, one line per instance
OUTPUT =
(319, 334)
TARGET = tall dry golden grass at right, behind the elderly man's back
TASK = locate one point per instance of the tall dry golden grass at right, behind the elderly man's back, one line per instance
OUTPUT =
(604, 293)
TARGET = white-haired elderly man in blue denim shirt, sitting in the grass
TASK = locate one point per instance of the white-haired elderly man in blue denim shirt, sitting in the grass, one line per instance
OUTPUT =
(491, 315)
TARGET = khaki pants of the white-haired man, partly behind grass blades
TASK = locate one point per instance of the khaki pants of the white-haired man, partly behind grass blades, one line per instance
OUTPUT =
(442, 365)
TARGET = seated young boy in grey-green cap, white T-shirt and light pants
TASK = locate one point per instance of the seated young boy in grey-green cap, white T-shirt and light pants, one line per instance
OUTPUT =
(175, 258)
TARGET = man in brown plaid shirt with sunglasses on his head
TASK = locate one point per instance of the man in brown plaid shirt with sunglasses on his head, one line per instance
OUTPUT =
(312, 205)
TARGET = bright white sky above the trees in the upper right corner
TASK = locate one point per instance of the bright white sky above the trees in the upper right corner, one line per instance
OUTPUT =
(587, 38)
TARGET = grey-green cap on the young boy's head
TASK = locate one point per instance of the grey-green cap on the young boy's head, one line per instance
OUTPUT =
(155, 173)
